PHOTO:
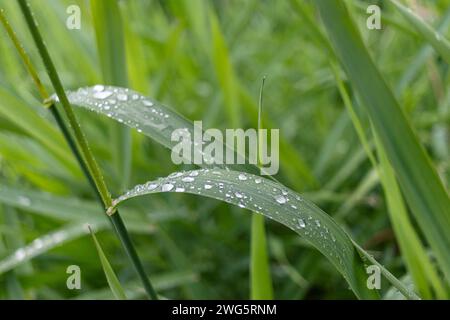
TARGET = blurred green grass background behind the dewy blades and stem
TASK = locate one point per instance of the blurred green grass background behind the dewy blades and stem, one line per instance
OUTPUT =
(173, 56)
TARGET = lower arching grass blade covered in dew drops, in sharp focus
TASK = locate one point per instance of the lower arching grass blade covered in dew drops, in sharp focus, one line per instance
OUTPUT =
(274, 201)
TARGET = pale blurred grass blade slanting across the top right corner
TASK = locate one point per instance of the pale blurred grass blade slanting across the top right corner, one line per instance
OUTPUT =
(434, 37)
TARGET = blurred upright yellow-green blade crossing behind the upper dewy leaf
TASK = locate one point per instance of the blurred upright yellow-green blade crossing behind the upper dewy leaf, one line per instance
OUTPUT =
(111, 52)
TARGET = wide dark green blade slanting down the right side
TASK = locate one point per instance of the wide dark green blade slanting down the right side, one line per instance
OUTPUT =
(418, 179)
